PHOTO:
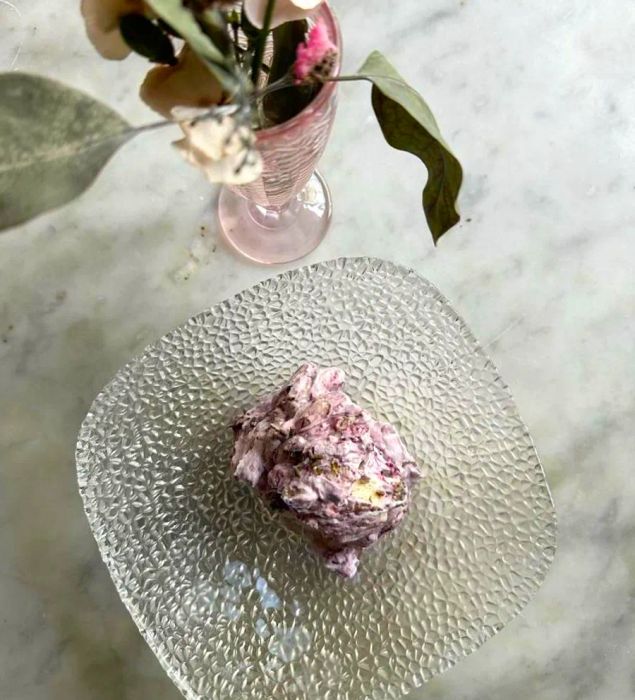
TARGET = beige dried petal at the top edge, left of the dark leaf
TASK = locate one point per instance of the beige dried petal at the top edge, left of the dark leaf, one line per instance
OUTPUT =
(102, 24)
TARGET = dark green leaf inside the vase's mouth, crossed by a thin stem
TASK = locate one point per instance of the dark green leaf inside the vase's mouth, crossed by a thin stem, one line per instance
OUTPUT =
(282, 105)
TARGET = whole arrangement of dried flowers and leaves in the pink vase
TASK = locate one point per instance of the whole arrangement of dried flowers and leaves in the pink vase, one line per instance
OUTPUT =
(222, 70)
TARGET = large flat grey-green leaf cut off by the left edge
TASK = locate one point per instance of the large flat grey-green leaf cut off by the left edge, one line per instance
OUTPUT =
(54, 141)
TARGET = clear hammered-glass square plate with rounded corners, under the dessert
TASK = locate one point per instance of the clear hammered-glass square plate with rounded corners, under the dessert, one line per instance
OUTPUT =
(236, 606)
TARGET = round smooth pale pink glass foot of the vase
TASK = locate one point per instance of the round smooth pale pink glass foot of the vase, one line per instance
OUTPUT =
(269, 236)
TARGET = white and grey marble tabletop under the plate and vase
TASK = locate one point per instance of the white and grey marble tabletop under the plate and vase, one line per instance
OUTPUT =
(538, 101)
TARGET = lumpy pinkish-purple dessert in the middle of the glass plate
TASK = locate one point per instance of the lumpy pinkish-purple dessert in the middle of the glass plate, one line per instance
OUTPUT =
(342, 476)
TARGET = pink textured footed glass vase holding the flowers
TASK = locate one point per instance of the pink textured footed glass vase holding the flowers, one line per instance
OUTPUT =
(285, 214)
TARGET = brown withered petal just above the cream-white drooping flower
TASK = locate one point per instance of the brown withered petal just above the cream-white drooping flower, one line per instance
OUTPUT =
(189, 84)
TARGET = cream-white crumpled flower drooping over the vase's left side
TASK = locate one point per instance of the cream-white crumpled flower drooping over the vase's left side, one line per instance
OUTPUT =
(219, 145)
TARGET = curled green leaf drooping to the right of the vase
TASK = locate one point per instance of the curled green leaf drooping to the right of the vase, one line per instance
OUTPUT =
(408, 125)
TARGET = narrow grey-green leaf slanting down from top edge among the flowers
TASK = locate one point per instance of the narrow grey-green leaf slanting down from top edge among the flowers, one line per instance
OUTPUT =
(183, 21)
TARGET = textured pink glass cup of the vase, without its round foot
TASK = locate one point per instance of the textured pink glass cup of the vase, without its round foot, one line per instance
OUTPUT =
(290, 153)
